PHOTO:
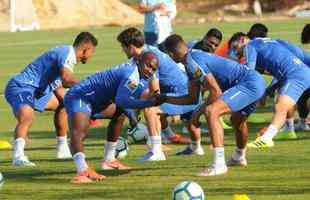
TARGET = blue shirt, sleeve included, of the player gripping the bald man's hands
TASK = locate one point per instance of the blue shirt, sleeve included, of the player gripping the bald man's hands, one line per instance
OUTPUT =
(226, 72)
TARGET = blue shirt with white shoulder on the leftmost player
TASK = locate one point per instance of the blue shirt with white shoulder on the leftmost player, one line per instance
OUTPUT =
(45, 69)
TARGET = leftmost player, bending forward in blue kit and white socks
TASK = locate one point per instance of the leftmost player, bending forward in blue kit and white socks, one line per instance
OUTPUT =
(40, 86)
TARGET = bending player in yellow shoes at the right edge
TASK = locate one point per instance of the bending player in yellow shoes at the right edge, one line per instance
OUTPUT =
(271, 57)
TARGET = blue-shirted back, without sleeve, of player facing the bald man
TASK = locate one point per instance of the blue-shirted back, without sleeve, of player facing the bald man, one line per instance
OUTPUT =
(227, 72)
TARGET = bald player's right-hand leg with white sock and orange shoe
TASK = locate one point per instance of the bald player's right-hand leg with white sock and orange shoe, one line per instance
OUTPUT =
(114, 131)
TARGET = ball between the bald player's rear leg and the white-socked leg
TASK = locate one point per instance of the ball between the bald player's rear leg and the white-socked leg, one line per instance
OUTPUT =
(138, 134)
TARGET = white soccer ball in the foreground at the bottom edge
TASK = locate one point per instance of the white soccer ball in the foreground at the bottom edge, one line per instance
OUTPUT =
(188, 190)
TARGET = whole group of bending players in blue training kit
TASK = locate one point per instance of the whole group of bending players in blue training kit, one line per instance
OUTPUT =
(161, 82)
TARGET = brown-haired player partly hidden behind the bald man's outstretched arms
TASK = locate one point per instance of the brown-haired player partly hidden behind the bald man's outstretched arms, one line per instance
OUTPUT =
(170, 80)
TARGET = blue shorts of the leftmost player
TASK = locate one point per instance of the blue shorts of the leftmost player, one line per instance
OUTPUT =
(19, 95)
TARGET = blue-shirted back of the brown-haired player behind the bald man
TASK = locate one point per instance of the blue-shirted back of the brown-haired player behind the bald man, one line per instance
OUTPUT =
(171, 77)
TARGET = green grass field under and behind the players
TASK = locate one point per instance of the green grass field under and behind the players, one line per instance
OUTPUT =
(280, 173)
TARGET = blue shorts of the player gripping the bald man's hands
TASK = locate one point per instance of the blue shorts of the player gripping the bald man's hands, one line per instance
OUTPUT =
(243, 96)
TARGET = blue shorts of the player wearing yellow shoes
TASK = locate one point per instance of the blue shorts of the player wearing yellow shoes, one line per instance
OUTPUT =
(296, 84)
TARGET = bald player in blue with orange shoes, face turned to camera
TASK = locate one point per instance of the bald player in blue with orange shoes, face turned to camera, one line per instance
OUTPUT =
(107, 92)
